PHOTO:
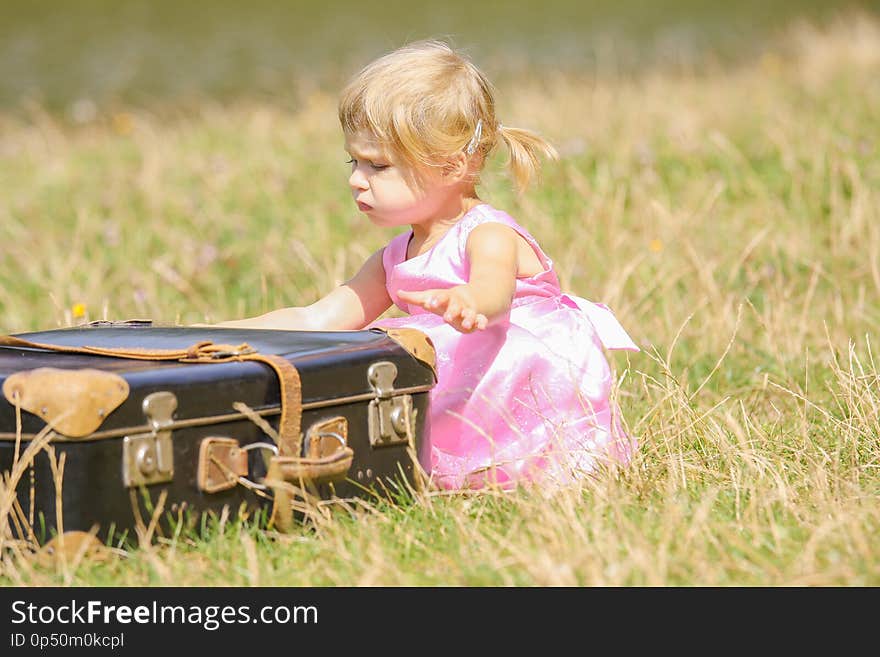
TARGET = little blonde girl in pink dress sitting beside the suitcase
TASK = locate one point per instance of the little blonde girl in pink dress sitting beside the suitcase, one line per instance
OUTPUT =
(523, 384)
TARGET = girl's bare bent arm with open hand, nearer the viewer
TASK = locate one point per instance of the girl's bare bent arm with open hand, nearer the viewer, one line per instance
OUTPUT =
(492, 253)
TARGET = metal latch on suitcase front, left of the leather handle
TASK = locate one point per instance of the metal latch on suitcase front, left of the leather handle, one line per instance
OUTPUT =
(148, 458)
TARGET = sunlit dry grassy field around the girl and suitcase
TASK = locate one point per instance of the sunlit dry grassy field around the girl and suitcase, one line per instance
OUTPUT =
(728, 213)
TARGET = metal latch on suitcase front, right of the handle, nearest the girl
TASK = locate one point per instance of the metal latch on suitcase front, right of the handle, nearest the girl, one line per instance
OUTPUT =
(391, 417)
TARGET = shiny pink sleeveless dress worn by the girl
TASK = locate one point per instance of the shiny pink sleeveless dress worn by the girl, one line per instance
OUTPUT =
(527, 399)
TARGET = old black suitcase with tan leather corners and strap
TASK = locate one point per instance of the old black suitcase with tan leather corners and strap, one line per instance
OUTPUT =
(128, 415)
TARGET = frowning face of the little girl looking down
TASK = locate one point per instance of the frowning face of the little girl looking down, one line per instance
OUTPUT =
(390, 192)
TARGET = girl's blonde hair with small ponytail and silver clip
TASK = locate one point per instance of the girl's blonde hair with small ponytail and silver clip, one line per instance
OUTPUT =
(424, 102)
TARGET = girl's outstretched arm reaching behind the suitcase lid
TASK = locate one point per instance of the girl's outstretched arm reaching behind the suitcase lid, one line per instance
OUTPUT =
(352, 305)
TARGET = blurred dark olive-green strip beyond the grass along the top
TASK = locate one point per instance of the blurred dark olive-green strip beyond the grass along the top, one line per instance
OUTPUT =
(75, 57)
